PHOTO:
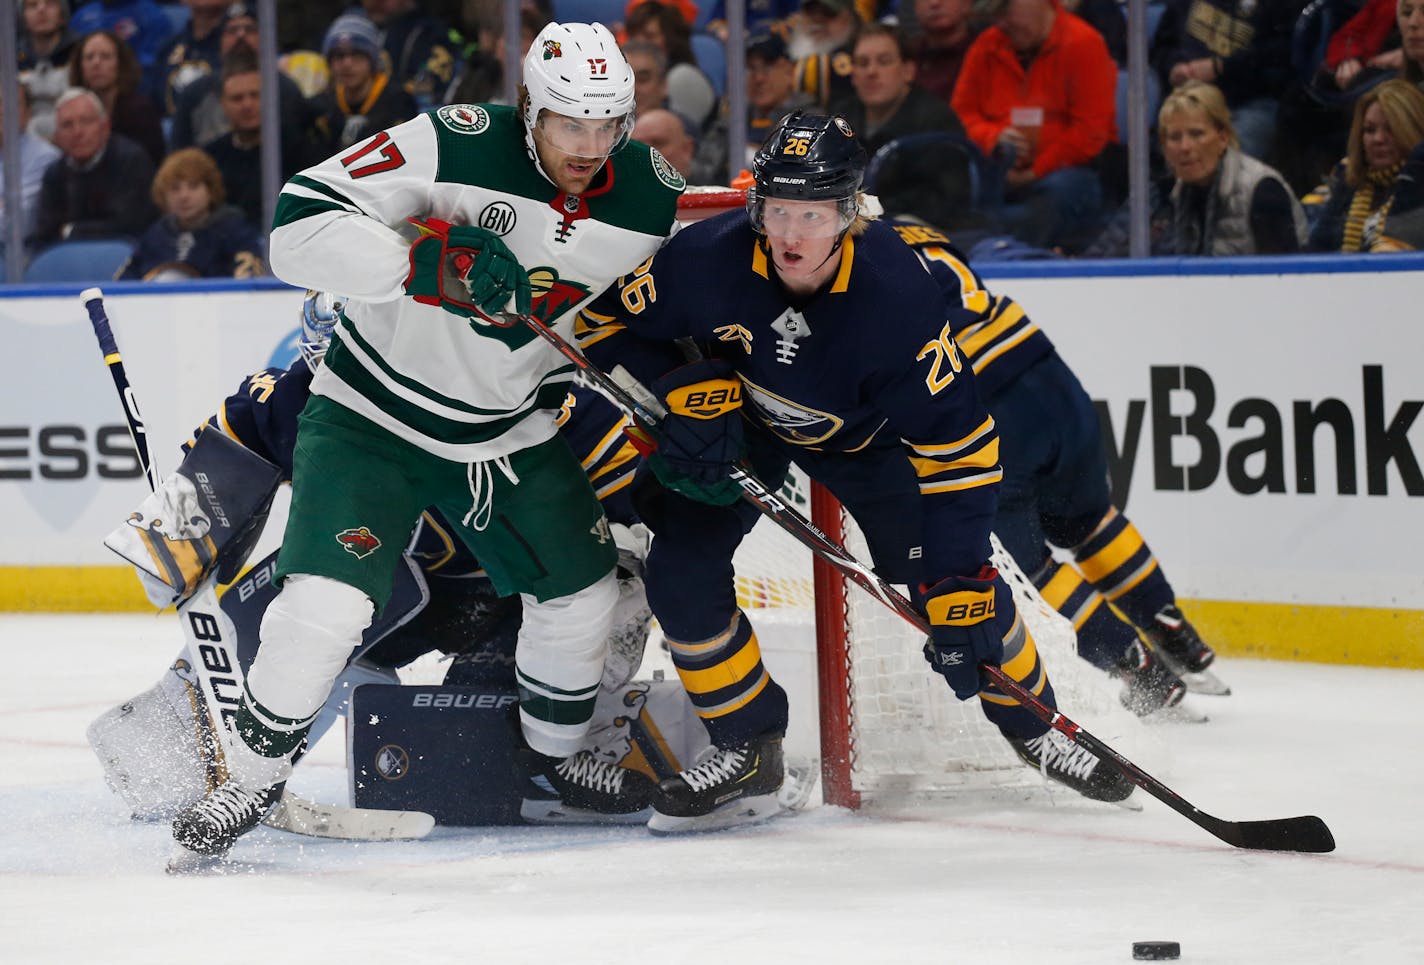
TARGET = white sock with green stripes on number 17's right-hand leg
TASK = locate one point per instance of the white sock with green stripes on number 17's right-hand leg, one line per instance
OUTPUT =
(559, 664)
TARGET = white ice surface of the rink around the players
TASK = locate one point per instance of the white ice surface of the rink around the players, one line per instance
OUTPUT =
(1039, 882)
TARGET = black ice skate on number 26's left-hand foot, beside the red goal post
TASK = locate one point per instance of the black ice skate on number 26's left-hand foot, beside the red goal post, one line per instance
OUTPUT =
(727, 788)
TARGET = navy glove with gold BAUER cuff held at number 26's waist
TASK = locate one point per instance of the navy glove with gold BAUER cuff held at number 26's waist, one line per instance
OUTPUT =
(701, 436)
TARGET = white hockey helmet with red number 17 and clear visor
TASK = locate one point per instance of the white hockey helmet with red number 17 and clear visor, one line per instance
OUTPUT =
(577, 70)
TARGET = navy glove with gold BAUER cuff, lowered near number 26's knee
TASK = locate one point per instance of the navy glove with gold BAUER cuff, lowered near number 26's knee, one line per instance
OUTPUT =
(963, 630)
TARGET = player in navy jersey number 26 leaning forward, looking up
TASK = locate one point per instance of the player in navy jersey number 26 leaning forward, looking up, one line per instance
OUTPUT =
(827, 345)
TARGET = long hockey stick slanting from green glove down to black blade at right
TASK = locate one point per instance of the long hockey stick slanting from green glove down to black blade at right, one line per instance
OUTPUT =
(1305, 833)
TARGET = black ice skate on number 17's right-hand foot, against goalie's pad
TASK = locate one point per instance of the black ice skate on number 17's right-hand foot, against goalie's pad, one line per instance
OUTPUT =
(582, 789)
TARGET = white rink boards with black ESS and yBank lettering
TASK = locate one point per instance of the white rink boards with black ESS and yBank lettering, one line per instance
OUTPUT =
(1265, 432)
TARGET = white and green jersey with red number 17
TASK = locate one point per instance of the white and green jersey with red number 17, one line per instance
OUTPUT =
(459, 389)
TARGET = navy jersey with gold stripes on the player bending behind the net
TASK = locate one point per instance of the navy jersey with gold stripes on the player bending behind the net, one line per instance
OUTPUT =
(999, 339)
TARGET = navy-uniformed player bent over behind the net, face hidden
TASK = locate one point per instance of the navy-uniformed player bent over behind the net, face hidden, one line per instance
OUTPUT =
(1056, 492)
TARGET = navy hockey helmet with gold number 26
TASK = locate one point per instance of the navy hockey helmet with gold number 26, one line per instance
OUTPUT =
(810, 157)
